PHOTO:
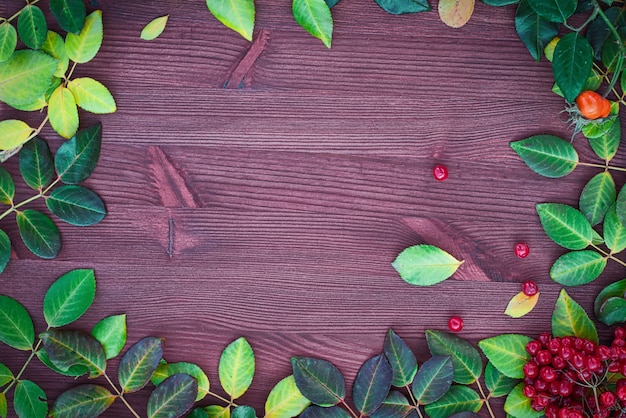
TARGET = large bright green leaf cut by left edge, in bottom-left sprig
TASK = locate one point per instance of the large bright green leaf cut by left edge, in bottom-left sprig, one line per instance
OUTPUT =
(16, 326)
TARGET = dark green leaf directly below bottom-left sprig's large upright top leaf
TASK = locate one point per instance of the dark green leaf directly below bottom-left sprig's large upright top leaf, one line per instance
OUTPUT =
(69, 348)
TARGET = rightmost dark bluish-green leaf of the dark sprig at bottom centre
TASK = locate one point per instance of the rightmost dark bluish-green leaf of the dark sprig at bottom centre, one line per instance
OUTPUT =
(433, 379)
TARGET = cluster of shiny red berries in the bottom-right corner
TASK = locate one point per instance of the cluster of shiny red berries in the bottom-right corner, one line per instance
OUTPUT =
(567, 377)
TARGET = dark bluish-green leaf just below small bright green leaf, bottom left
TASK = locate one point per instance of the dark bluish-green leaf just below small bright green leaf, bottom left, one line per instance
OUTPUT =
(139, 363)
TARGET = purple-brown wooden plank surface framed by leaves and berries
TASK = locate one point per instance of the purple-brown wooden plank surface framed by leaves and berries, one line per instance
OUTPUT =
(263, 190)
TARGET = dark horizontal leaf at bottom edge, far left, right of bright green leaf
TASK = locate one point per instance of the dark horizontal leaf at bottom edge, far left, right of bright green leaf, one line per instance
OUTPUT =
(82, 401)
